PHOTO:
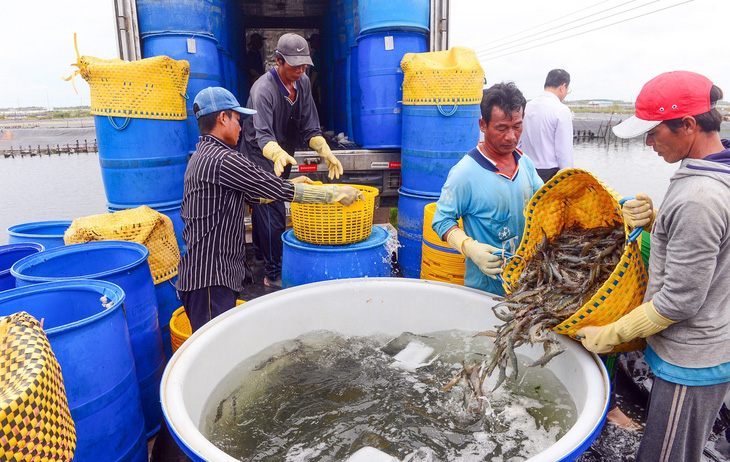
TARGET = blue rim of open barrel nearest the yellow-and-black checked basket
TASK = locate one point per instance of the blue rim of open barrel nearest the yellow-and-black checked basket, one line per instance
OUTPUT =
(113, 292)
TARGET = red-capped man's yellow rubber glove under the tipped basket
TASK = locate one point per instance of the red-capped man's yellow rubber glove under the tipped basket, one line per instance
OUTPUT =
(642, 322)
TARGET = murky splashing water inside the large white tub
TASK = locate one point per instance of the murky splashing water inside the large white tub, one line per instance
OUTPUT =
(324, 396)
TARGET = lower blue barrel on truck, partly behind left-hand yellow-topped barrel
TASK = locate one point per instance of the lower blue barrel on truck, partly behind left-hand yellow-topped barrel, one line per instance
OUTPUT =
(205, 68)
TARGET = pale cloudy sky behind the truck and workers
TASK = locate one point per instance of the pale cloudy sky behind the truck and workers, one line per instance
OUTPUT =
(605, 60)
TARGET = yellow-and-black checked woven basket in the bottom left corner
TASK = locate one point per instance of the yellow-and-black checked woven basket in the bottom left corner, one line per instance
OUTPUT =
(35, 422)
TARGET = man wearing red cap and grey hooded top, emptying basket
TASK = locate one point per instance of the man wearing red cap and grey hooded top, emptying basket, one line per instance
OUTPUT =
(685, 317)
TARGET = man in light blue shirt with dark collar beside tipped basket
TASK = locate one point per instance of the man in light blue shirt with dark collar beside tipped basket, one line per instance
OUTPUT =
(488, 189)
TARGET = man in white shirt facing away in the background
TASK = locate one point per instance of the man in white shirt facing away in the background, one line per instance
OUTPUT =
(547, 136)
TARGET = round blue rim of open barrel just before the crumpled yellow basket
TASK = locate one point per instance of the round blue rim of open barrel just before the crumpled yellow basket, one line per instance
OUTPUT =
(22, 268)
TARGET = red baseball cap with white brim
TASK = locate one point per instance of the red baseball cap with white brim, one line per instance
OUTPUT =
(671, 95)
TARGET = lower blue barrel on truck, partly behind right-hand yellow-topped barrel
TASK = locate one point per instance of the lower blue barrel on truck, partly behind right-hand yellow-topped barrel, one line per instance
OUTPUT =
(380, 78)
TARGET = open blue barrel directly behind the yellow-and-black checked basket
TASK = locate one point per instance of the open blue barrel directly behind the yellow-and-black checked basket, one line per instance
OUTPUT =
(91, 344)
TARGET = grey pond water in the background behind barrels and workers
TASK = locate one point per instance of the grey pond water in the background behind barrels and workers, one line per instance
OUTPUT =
(64, 187)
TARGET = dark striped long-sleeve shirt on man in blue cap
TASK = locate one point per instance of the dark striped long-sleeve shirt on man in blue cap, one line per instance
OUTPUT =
(218, 182)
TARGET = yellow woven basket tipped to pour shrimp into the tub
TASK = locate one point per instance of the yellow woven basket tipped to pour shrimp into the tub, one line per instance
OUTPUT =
(575, 197)
